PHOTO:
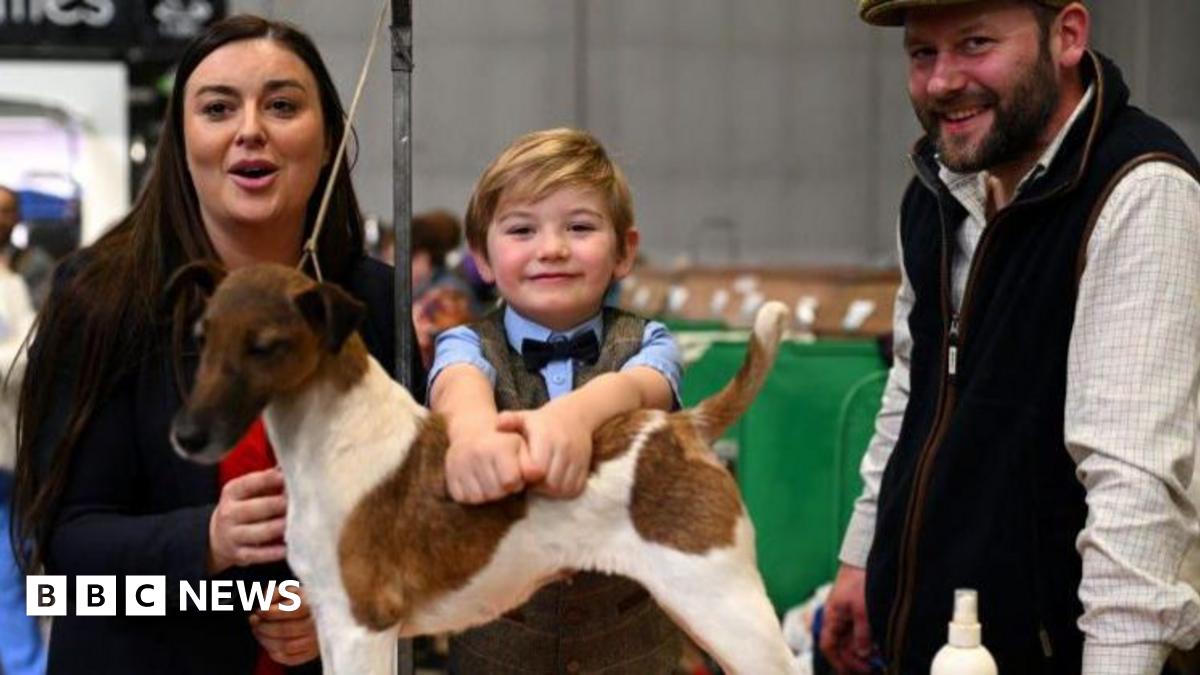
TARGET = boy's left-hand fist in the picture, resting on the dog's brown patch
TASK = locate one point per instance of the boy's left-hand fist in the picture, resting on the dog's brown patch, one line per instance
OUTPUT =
(485, 468)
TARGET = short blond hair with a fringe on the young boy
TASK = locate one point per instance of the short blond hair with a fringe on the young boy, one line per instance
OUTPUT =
(538, 164)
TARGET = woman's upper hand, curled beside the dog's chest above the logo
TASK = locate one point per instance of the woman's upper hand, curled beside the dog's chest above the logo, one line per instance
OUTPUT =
(249, 523)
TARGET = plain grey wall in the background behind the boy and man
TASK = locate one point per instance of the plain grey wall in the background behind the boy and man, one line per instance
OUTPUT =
(765, 132)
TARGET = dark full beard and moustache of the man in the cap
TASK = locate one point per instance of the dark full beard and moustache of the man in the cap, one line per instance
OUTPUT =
(1017, 124)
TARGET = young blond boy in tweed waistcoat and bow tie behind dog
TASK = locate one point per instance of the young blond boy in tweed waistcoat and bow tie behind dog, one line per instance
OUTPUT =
(523, 391)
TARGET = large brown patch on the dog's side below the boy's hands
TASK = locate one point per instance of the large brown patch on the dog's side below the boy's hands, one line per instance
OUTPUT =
(405, 543)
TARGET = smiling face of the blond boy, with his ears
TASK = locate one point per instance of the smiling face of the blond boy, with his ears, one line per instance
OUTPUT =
(554, 260)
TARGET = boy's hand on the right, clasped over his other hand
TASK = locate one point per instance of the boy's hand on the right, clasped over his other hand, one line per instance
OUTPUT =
(560, 450)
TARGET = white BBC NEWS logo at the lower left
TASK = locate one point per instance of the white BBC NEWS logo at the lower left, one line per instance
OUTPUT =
(147, 595)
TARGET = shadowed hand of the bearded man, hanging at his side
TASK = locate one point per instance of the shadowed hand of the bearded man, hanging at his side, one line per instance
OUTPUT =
(845, 635)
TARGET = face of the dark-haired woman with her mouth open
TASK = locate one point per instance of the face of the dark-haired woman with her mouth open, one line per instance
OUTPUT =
(255, 140)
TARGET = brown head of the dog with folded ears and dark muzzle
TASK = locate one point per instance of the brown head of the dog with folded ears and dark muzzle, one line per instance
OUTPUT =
(267, 331)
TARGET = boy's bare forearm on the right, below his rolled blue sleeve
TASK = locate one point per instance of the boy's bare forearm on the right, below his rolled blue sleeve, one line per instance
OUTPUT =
(614, 393)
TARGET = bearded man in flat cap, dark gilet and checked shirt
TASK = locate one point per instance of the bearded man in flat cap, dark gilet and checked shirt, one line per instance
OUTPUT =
(1040, 423)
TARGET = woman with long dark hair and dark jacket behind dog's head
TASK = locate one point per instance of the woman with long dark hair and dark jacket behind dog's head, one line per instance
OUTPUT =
(247, 150)
